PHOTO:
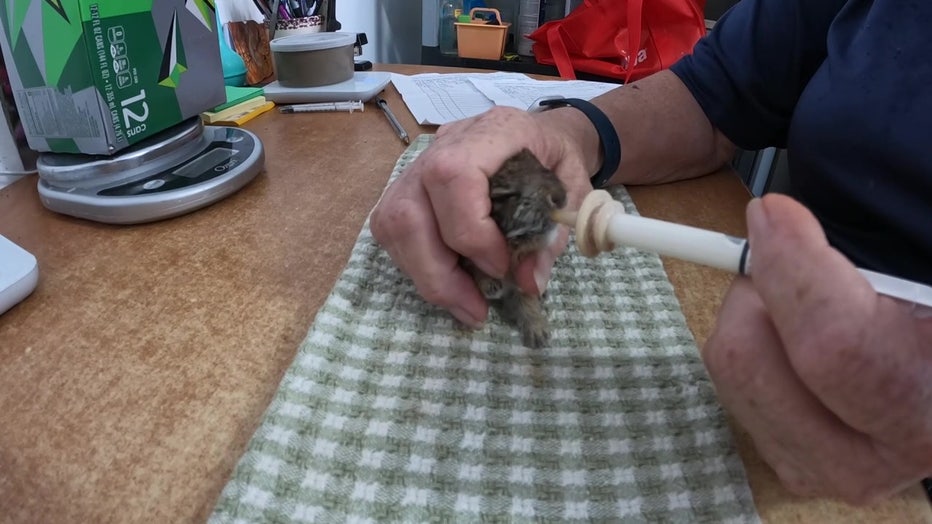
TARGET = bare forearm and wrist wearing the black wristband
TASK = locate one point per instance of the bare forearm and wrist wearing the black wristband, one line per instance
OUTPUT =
(664, 133)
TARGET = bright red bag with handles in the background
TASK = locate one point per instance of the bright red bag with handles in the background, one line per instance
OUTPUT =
(599, 37)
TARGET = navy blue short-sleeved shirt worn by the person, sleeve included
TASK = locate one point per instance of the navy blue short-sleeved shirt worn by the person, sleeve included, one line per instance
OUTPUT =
(846, 88)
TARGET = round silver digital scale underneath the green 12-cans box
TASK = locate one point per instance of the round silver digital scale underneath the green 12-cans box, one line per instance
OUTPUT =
(176, 171)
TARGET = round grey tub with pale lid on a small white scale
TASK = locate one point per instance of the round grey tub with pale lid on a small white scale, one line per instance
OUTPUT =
(313, 59)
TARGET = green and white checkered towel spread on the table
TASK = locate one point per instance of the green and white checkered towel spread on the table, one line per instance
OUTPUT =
(391, 413)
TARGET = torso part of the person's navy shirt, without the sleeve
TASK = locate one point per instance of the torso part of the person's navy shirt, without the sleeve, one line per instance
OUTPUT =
(860, 141)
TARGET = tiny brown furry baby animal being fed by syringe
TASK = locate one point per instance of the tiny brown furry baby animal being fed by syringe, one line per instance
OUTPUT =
(524, 193)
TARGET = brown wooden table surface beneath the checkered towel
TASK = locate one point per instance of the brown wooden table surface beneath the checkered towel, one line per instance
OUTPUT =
(133, 377)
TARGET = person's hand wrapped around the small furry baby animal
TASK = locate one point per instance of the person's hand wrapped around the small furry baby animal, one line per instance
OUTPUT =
(438, 208)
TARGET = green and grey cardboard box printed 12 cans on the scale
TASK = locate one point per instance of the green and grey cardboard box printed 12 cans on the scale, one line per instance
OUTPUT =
(95, 76)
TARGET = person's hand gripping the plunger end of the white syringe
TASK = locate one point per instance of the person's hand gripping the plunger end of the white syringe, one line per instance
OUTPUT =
(831, 380)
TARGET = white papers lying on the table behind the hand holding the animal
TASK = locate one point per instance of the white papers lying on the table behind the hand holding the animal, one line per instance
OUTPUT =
(441, 98)
